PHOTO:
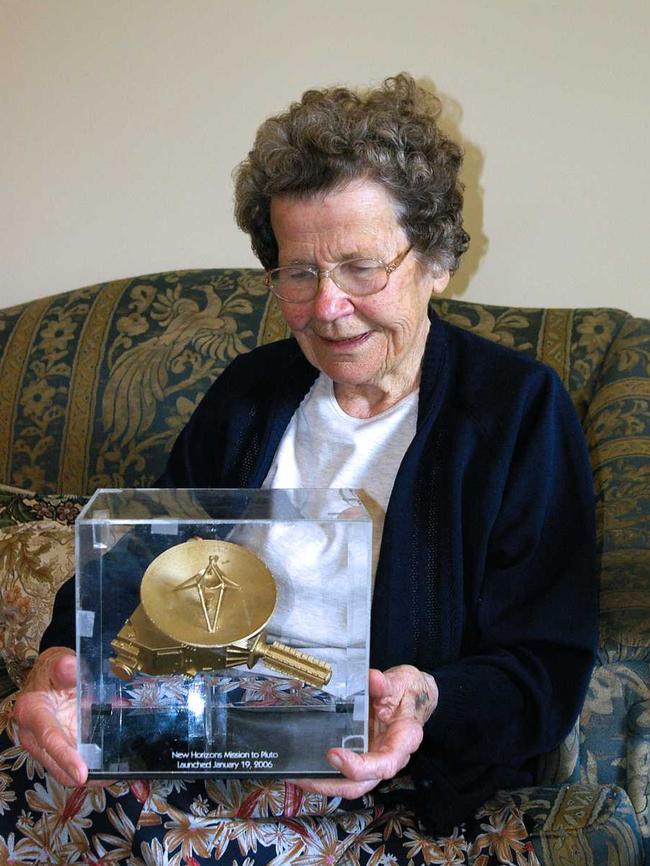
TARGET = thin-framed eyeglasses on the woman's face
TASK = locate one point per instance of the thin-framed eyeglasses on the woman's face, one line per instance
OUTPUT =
(298, 284)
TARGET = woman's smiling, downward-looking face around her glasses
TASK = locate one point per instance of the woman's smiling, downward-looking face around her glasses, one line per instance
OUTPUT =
(376, 340)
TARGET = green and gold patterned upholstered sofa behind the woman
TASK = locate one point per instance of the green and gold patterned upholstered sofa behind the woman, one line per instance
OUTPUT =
(96, 383)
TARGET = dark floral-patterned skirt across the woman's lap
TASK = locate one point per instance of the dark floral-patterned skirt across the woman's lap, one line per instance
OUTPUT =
(251, 822)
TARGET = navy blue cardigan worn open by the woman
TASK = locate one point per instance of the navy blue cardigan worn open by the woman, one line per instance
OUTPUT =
(486, 574)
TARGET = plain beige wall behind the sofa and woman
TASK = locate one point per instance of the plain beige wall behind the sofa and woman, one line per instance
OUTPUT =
(122, 120)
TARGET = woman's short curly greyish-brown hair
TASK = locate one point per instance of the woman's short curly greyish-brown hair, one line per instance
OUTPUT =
(333, 136)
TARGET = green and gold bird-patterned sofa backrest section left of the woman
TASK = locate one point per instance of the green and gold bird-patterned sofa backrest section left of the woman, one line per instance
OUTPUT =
(95, 384)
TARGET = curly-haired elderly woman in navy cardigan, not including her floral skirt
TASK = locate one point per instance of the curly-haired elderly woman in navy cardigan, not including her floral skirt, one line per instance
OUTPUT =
(469, 455)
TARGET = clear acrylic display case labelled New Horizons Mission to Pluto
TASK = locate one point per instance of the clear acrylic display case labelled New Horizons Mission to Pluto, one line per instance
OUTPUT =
(221, 632)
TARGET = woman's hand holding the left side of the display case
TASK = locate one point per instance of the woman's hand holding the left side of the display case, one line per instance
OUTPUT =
(46, 715)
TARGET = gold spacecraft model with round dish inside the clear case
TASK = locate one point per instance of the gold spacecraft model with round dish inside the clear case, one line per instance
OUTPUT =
(204, 606)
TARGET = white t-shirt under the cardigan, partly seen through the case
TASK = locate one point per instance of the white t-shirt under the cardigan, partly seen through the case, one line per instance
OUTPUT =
(323, 447)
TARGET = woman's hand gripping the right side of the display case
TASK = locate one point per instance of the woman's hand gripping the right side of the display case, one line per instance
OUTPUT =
(401, 700)
